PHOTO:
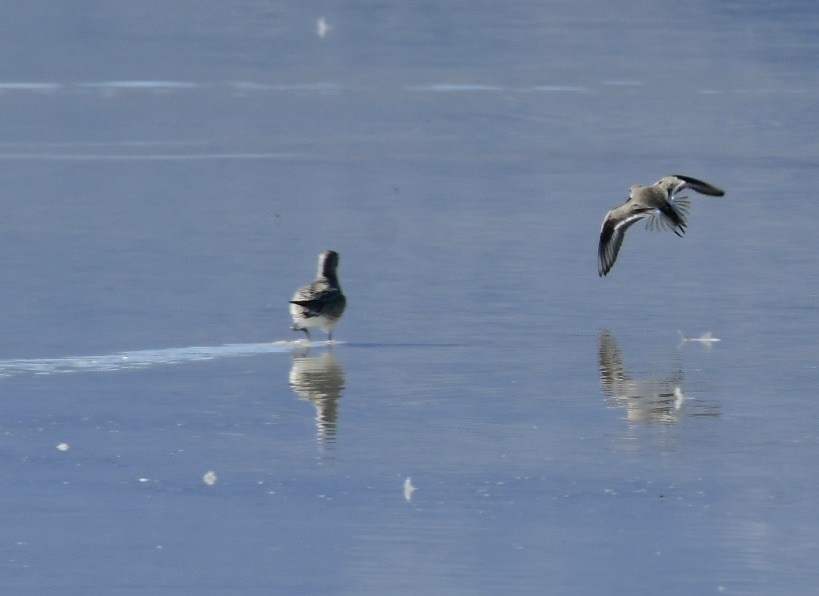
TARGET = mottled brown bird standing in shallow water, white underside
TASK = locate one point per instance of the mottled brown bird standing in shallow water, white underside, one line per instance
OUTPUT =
(321, 303)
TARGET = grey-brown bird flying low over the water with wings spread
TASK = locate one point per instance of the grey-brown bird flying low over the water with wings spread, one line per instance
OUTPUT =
(659, 203)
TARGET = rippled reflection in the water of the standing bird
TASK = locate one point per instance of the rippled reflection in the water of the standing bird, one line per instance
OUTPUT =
(320, 381)
